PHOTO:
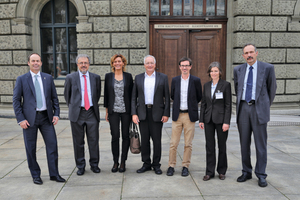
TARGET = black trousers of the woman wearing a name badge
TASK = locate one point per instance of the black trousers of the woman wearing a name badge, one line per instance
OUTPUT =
(210, 129)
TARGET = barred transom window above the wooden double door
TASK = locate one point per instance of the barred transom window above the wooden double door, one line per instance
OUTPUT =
(186, 8)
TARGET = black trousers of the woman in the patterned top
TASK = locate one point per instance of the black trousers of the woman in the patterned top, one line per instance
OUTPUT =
(114, 122)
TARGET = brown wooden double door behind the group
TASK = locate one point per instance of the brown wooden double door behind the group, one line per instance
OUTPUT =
(202, 46)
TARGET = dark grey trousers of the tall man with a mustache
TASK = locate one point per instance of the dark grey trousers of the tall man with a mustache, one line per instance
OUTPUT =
(248, 123)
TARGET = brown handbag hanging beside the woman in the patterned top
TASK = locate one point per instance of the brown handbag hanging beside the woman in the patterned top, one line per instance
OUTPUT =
(134, 135)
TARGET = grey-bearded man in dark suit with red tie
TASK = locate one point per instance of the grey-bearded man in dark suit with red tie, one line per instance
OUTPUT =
(82, 93)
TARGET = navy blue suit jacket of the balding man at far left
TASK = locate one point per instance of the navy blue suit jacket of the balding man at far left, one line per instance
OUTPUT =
(24, 100)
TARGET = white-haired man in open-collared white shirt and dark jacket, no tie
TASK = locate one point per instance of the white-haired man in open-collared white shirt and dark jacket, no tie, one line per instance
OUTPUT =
(150, 108)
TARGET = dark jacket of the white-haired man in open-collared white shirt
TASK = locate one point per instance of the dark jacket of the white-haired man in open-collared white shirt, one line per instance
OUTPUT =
(161, 99)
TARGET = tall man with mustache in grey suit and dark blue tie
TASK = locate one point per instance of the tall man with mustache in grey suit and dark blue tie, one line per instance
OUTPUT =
(255, 88)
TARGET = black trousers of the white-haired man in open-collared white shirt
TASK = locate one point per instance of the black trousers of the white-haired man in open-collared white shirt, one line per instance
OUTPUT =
(152, 129)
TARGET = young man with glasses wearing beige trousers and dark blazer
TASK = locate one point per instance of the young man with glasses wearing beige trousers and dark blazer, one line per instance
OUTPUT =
(186, 92)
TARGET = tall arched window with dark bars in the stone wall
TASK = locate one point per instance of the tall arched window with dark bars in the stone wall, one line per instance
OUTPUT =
(58, 38)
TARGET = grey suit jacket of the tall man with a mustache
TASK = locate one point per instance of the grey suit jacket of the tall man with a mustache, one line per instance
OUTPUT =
(265, 89)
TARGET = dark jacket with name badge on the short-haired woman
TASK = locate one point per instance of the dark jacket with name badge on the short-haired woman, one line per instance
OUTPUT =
(217, 110)
